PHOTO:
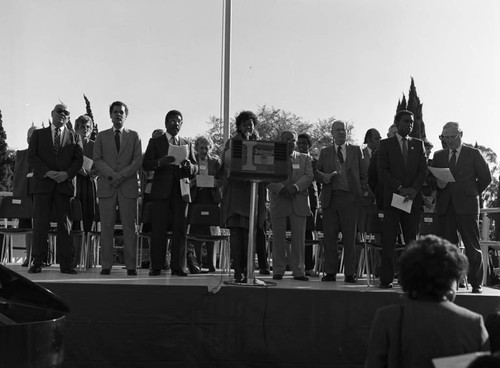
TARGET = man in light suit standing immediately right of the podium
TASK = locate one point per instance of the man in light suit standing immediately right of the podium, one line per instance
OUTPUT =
(290, 200)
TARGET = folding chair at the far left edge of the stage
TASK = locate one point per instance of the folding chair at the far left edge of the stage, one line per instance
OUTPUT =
(14, 209)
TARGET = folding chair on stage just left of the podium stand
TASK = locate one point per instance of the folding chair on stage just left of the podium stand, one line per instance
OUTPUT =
(210, 215)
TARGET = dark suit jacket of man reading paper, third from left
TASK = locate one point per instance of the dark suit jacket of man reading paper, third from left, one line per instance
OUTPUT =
(167, 176)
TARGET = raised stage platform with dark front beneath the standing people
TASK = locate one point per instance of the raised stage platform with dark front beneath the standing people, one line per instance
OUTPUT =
(198, 321)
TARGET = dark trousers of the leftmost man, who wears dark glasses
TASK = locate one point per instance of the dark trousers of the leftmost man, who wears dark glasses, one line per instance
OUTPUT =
(42, 211)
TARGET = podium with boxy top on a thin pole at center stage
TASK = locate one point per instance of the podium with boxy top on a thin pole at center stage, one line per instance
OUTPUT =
(256, 162)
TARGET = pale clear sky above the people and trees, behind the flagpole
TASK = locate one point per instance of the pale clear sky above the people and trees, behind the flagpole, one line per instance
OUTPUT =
(349, 59)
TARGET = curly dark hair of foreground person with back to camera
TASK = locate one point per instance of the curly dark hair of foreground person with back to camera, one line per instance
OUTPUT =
(429, 266)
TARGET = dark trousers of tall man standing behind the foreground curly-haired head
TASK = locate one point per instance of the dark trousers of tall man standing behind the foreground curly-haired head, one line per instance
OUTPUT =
(393, 218)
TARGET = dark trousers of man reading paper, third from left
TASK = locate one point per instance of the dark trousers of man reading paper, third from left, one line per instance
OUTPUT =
(169, 213)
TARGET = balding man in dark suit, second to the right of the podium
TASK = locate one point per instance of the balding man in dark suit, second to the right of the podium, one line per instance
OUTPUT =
(344, 177)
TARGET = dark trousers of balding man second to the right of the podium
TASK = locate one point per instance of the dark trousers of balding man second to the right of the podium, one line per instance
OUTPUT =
(340, 216)
